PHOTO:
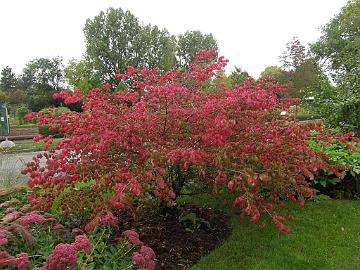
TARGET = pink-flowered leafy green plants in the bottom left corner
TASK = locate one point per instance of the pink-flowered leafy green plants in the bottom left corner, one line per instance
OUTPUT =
(30, 239)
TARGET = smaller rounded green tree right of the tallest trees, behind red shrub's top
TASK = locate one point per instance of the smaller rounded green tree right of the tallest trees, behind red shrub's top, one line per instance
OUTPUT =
(190, 43)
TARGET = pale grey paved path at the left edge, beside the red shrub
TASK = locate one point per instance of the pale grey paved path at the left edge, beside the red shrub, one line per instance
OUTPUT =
(11, 164)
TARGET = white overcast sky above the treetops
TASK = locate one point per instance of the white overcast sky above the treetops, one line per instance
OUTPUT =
(251, 33)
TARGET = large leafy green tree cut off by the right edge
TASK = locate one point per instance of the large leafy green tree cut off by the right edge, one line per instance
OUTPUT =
(338, 53)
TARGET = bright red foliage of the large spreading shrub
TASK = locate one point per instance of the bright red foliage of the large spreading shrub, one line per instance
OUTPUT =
(131, 141)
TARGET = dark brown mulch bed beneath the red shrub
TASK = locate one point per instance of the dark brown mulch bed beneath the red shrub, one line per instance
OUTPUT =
(178, 245)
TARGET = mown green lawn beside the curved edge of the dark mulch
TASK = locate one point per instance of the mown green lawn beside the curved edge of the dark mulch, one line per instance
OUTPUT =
(325, 235)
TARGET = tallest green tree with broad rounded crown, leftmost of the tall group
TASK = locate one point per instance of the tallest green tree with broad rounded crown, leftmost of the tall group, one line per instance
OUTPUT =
(113, 42)
